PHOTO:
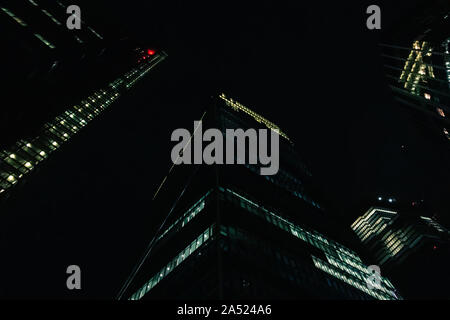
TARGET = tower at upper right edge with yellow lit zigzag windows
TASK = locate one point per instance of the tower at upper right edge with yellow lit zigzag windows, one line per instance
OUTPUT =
(417, 65)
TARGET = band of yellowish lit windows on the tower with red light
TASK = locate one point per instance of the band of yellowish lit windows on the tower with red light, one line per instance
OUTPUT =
(24, 156)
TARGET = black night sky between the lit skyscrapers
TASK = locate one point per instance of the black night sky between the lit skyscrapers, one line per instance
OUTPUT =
(311, 67)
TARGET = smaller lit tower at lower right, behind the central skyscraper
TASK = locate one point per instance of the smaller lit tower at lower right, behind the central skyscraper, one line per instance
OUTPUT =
(412, 249)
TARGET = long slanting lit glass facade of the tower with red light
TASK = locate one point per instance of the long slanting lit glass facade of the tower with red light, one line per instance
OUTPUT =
(23, 157)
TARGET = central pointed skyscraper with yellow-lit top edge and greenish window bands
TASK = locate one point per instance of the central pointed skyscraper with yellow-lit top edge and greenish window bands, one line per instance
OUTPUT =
(231, 233)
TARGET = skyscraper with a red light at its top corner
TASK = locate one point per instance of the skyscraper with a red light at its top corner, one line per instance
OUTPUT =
(60, 81)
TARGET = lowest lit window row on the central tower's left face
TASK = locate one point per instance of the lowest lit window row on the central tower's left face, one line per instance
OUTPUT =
(176, 261)
